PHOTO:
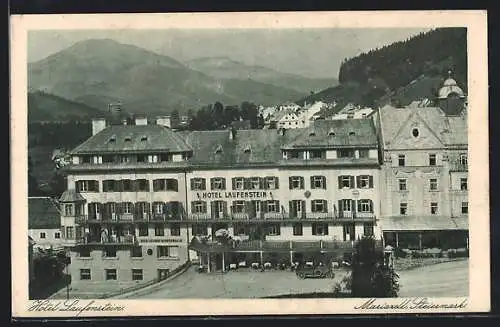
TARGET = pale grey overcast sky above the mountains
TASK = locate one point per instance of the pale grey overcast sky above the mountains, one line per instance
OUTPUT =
(308, 52)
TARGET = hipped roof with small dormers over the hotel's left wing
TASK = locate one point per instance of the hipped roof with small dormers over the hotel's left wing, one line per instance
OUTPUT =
(133, 138)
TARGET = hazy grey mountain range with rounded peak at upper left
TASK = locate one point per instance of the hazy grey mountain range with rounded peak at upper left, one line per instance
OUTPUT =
(97, 72)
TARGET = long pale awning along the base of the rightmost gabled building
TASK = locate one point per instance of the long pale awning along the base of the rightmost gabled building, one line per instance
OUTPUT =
(423, 223)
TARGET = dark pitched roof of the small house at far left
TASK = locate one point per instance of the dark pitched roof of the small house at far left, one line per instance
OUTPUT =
(43, 213)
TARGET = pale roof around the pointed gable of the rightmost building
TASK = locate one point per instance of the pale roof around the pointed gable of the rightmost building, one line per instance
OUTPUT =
(450, 130)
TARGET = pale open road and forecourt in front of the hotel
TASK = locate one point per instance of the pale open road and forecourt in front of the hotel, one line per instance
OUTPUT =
(445, 279)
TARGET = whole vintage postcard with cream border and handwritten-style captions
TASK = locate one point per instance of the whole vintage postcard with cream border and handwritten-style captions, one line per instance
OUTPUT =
(249, 163)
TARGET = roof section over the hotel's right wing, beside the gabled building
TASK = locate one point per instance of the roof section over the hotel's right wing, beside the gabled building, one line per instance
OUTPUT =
(337, 133)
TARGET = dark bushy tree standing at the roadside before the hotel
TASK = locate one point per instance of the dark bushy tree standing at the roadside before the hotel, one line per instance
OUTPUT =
(370, 277)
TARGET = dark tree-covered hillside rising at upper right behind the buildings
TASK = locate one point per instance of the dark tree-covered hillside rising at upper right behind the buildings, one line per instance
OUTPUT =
(385, 73)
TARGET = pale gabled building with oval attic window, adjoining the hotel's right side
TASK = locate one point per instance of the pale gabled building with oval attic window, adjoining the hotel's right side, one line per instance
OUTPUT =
(425, 172)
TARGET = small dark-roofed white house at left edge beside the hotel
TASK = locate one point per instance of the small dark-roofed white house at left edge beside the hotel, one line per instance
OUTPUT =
(44, 222)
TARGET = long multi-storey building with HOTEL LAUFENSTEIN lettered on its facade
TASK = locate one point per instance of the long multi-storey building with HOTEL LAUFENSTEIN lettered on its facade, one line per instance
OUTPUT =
(138, 195)
